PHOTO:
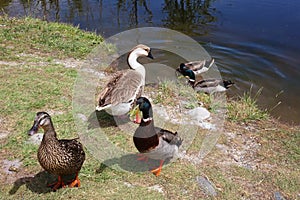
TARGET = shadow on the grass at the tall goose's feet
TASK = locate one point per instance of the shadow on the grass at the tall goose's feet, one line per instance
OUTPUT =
(103, 119)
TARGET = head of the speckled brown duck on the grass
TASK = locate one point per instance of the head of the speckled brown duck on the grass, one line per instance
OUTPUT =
(43, 120)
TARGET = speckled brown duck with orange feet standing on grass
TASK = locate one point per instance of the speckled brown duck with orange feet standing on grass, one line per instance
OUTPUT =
(58, 157)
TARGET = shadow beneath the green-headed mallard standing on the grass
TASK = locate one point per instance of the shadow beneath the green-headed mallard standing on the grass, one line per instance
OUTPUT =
(130, 163)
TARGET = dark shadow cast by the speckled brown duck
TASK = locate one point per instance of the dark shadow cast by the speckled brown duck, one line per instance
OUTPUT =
(37, 183)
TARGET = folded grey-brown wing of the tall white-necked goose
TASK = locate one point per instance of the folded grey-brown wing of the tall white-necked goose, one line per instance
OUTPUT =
(122, 88)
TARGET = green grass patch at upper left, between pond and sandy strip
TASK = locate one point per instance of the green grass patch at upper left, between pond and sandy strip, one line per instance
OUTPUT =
(34, 36)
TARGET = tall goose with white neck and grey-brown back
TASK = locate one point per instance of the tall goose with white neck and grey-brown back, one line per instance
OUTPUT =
(126, 86)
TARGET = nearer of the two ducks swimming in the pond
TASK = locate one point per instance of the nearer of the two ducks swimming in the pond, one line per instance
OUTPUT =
(208, 86)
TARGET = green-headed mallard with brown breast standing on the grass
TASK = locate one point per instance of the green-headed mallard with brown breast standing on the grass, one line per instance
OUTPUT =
(153, 142)
